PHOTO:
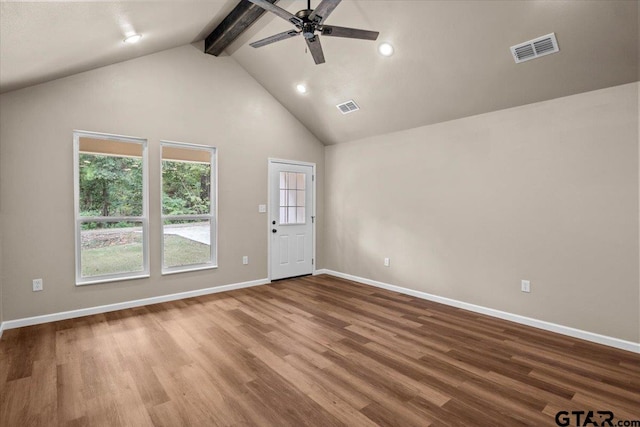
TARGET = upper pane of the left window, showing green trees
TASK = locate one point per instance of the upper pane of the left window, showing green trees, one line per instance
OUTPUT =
(110, 185)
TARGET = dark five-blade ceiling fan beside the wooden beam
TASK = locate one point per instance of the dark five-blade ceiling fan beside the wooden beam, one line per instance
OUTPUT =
(310, 23)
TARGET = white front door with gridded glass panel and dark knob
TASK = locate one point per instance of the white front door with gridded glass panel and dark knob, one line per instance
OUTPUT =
(291, 218)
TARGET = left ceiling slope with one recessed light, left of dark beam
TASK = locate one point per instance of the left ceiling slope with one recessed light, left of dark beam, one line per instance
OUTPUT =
(41, 41)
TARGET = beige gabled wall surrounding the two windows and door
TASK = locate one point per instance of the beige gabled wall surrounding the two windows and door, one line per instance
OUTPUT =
(179, 95)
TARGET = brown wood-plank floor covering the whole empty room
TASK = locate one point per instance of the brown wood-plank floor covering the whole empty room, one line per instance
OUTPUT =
(316, 351)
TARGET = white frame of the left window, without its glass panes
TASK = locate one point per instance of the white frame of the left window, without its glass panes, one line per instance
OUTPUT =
(79, 220)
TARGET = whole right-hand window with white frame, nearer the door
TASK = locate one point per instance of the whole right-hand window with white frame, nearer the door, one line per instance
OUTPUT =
(188, 207)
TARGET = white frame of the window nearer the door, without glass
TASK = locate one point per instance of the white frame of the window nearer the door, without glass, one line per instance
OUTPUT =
(212, 216)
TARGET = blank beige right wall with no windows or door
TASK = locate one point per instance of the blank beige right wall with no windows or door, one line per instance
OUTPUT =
(466, 209)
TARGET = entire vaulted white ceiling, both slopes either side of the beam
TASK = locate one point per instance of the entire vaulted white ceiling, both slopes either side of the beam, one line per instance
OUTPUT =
(451, 58)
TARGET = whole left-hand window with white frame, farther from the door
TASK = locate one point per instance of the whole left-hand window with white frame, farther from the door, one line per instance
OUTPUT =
(111, 212)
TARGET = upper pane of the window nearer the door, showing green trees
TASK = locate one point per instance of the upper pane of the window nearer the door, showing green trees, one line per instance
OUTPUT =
(186, 187)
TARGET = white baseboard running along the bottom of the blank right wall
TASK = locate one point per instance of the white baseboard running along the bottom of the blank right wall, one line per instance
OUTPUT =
(540, 324)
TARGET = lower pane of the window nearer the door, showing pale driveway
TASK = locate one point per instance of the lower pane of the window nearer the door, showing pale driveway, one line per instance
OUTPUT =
(187, 242)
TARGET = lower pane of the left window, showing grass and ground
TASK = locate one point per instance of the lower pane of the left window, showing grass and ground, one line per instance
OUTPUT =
(111, 248)
